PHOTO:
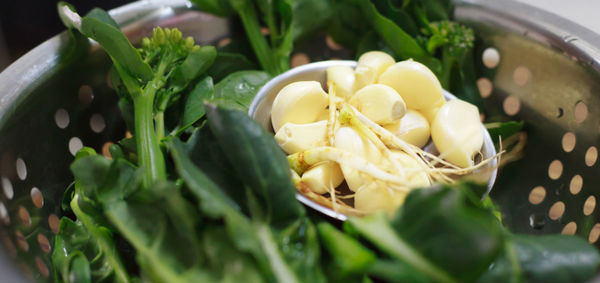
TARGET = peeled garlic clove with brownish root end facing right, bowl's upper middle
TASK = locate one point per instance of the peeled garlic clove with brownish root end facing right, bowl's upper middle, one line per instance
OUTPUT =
(380, 103)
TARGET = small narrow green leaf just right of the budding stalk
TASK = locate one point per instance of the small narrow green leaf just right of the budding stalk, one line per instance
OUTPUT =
(194, 106)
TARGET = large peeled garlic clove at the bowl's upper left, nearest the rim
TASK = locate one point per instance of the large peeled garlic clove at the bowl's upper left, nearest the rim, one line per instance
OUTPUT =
(298, 103)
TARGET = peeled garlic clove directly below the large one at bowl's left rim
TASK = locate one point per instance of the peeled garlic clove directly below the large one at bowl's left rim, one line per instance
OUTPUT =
(294, 138)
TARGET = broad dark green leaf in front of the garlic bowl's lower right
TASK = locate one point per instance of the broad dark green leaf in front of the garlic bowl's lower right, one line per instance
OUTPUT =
(430, 215)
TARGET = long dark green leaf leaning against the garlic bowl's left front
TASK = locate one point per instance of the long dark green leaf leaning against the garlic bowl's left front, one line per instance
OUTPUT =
(258, 161)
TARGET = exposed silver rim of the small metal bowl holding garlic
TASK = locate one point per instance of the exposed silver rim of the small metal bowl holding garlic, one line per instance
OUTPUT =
(260, 110)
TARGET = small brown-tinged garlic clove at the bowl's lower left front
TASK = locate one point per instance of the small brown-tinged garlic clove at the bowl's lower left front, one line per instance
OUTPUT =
(323, 176)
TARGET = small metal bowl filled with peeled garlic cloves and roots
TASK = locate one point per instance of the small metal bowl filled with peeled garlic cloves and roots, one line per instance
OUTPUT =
(360, 135)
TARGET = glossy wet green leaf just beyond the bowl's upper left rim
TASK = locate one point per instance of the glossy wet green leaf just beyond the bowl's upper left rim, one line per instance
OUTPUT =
(240, 88)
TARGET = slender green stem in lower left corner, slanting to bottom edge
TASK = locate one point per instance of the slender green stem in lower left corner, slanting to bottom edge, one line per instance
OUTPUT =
(104, 241)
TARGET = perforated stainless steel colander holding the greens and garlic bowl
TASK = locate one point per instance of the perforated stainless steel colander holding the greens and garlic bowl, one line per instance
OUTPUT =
(532, 66)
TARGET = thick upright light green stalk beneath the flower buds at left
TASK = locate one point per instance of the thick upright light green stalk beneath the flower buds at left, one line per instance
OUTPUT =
(150, 156)
